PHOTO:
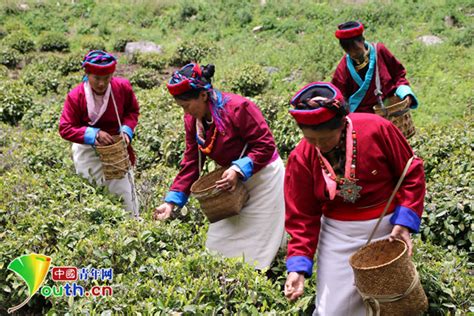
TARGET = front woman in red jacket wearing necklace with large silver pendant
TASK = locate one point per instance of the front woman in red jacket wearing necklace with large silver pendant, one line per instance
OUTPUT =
(337, 183)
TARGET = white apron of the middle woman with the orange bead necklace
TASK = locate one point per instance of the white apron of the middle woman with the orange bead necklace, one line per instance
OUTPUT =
(257, 233)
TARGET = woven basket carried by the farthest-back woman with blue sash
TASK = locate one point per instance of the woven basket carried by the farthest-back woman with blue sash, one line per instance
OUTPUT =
(398, 112)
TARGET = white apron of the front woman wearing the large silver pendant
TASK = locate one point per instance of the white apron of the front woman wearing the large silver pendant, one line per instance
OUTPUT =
(336, 294)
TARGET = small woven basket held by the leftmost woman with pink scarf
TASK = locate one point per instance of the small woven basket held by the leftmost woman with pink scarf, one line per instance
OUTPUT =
(114, 158)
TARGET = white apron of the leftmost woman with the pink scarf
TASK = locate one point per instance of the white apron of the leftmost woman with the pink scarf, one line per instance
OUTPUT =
(88, 165)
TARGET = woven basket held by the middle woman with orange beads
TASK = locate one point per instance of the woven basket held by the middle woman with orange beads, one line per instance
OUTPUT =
(217, 204)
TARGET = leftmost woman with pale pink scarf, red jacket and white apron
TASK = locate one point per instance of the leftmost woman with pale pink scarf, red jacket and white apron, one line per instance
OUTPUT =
(89, 118)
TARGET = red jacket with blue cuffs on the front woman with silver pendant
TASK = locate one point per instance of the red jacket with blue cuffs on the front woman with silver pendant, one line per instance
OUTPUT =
(382, 153)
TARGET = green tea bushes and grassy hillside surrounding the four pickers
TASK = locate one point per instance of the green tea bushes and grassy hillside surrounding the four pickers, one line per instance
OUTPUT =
(163, 267)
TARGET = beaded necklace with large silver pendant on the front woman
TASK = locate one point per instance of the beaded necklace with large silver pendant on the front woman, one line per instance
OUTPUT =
(349, 190)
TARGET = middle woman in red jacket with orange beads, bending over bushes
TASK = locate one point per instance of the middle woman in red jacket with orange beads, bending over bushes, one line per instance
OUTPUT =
(230, 130)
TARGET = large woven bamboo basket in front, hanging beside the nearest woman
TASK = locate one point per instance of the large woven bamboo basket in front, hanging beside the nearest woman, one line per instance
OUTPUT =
(387, 279)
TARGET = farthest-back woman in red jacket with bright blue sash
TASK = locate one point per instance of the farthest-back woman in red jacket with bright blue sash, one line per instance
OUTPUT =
(355, 76)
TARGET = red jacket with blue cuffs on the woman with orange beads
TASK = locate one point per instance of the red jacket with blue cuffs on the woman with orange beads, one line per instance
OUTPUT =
(242, 123)
